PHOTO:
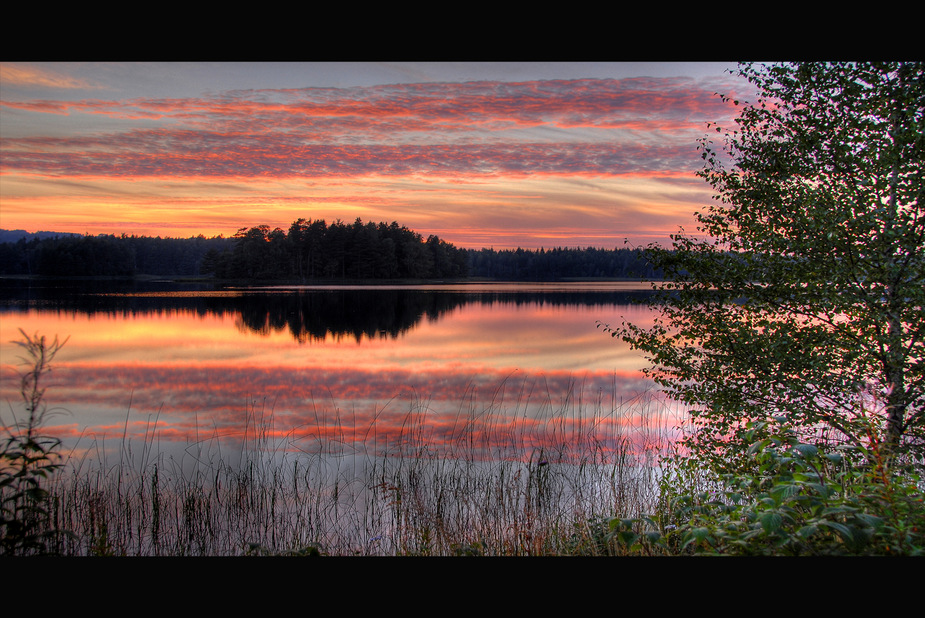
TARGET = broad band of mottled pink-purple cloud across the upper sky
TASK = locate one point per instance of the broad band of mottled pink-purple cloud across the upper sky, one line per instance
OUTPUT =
(391, 130)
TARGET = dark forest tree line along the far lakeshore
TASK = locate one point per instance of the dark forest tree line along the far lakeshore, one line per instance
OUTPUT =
(310, 250)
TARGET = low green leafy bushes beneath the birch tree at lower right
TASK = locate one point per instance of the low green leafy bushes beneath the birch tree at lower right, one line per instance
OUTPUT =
(802, 502)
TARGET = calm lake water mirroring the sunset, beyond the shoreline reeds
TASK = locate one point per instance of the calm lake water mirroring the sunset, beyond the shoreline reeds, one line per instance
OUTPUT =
(328, 368)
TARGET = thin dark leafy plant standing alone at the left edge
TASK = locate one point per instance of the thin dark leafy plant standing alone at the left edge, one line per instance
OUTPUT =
(27, 459)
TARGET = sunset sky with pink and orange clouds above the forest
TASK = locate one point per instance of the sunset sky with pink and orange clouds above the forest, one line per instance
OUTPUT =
(499, 155)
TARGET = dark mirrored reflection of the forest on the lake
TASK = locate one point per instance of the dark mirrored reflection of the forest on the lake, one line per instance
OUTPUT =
(307, 313)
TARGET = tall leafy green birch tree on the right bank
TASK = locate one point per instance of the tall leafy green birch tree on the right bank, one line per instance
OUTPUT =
(804, 298)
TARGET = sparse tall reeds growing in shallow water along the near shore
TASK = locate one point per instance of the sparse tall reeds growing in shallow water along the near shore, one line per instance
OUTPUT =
(493, 484)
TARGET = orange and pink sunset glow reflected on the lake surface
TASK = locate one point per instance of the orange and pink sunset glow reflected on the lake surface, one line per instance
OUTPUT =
(484, 369)
